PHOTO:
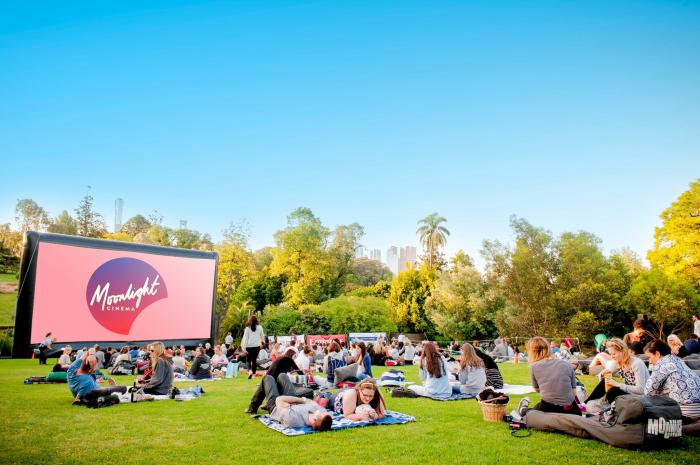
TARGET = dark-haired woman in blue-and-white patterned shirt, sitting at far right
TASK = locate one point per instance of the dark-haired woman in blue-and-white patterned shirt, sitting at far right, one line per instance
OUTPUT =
(672, 378)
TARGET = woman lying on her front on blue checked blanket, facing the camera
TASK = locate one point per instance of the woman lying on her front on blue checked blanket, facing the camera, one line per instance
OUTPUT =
(364, 402)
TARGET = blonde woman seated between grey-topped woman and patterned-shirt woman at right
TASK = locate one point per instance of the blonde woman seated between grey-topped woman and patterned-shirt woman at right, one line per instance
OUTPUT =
(632, 370)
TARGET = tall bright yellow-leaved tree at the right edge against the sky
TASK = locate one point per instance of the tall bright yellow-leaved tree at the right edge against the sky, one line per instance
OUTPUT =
(677, 242)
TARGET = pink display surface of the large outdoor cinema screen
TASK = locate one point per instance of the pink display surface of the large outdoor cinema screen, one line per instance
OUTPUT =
(86, 294)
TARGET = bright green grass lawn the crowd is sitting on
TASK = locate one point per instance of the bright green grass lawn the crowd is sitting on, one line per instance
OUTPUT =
(41, 426)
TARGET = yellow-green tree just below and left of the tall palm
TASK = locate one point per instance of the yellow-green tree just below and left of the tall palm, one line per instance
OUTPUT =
(409, 291)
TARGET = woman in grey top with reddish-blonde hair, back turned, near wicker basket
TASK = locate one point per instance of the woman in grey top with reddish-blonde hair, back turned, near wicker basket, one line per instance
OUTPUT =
(553, 378)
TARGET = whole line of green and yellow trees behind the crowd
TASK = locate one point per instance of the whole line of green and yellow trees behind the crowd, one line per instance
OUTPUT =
(311, 282)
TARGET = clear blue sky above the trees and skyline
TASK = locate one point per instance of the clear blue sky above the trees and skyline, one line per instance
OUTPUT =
(574, 115)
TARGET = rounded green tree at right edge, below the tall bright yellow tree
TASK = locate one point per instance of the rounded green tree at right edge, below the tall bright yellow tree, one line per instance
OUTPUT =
(666, 299)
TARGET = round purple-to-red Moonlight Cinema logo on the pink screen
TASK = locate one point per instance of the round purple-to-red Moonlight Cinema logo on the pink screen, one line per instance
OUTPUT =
(120, 289)
